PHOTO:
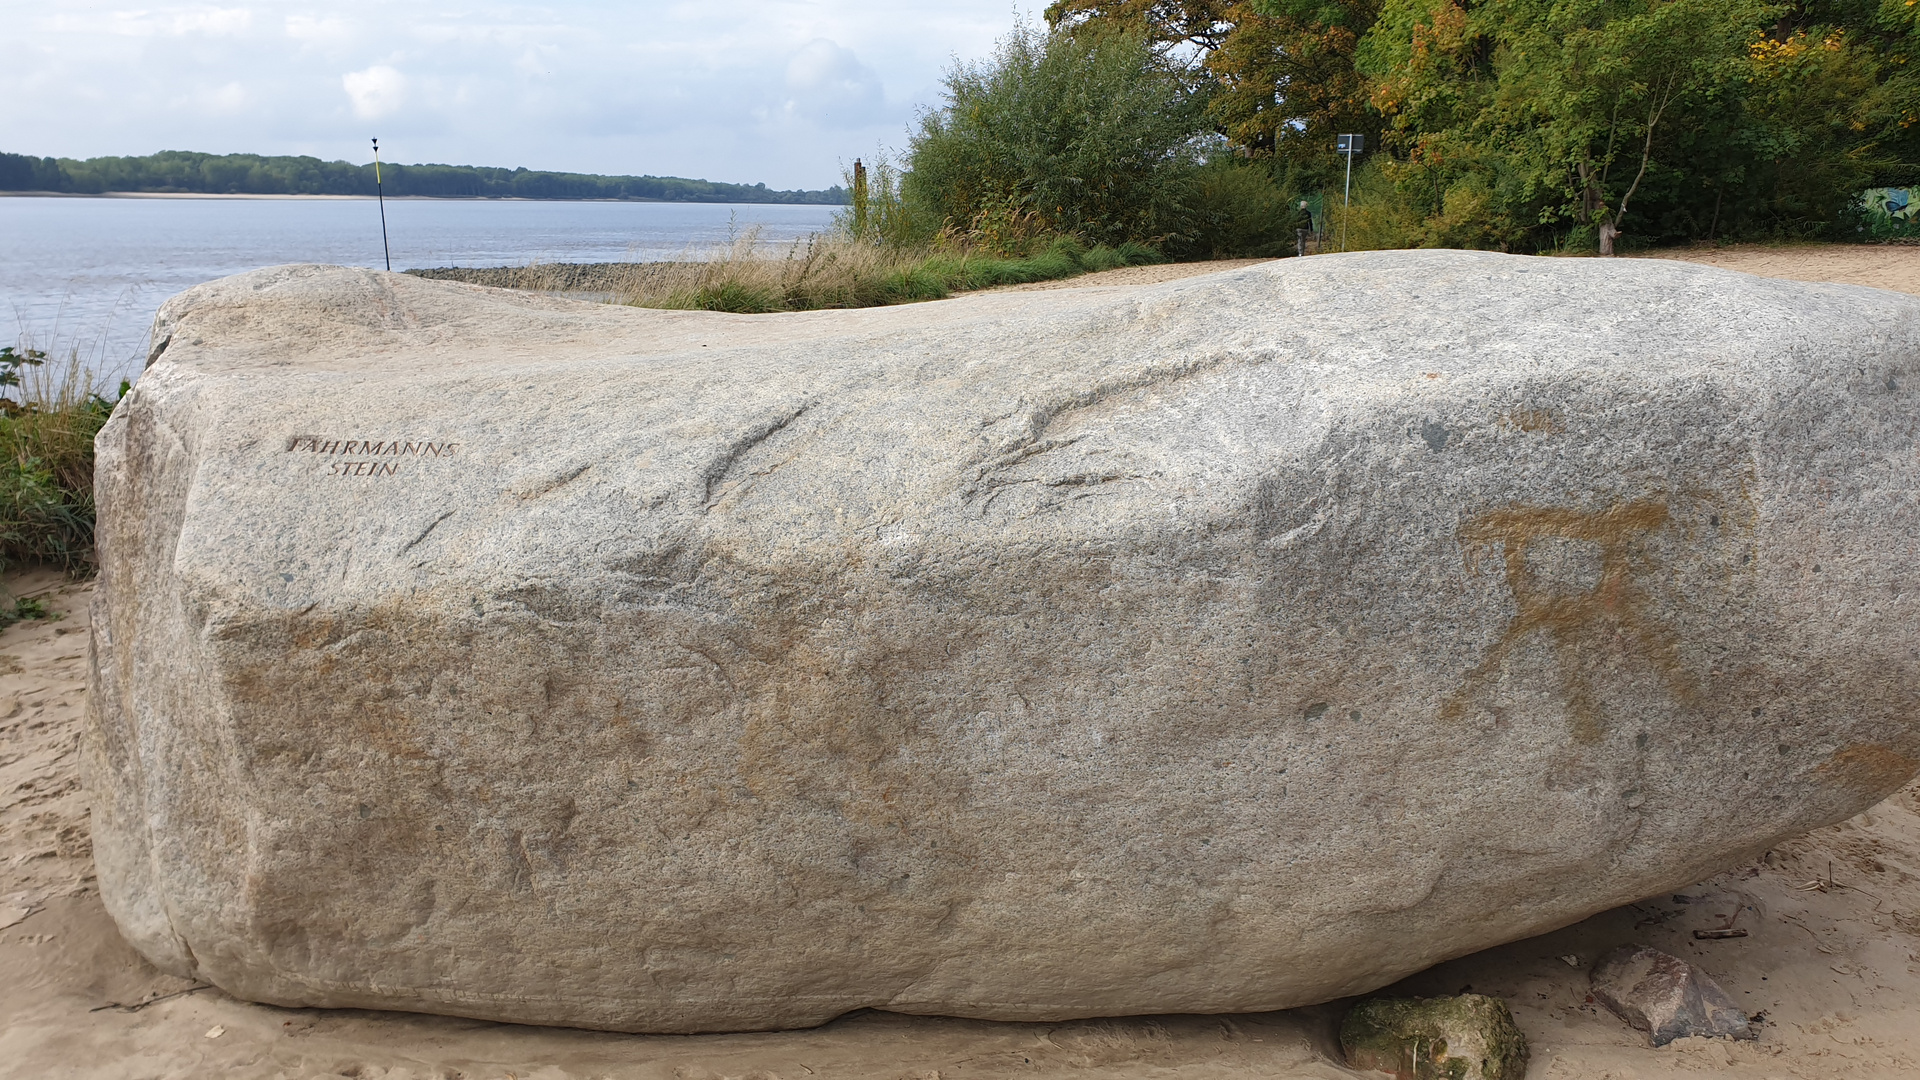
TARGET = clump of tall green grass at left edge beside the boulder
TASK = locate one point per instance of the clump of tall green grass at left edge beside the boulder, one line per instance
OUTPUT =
(49, 418)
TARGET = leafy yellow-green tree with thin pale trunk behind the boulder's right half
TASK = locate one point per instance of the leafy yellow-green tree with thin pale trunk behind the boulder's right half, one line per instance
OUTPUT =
(1566, 110)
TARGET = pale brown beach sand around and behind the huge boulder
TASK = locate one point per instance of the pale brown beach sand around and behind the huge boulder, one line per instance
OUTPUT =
(1831, 964)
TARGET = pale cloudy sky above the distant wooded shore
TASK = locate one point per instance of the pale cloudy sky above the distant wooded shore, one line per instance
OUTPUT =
(777, 91)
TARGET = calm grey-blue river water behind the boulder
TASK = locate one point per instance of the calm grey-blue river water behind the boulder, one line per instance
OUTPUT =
(87, 274)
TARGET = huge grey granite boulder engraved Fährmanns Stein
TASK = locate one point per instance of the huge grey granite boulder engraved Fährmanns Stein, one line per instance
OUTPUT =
(1222, 645)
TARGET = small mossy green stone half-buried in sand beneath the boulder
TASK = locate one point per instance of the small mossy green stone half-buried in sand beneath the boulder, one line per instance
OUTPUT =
(1470, 1037)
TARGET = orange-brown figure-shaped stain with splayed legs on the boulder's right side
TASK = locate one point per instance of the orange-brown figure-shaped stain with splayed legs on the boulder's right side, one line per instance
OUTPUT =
(1614, 608)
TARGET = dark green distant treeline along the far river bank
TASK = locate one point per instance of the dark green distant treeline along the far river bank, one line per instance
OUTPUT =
(251, 174)
